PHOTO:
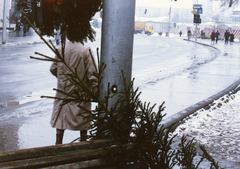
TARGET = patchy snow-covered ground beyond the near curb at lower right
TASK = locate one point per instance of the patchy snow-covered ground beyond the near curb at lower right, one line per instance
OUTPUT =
(217, 128)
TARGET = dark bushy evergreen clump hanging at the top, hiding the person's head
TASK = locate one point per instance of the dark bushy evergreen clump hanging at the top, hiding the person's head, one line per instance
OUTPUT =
(73, 16)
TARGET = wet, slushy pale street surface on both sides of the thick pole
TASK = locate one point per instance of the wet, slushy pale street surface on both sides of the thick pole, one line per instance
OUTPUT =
(178, 72)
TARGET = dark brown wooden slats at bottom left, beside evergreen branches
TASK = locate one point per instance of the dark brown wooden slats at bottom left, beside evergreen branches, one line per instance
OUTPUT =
(82, 155)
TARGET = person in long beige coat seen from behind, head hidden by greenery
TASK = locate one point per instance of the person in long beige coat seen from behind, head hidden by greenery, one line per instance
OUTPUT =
(78, 57)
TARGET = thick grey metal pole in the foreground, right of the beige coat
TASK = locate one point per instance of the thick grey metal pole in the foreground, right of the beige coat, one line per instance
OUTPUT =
(117, 44)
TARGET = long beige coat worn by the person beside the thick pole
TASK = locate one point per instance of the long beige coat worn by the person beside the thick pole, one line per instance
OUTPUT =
(65, 117)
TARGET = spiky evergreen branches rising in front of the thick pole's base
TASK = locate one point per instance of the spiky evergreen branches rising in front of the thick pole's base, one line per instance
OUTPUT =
(141, 141)
